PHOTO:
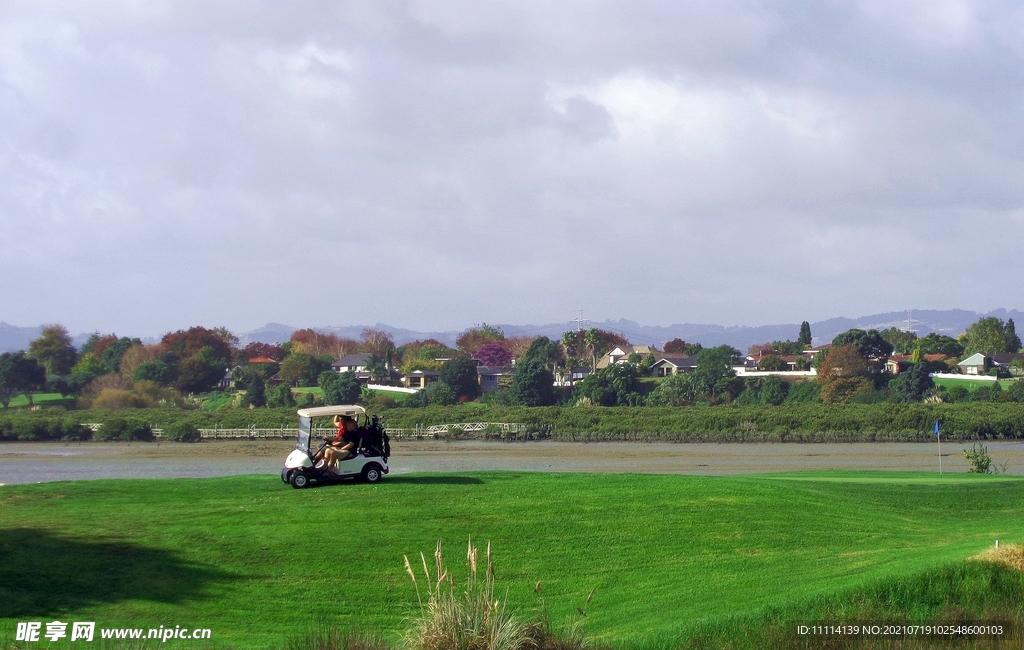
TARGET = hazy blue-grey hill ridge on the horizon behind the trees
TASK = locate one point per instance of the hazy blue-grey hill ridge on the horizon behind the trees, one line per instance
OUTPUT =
(951, 323)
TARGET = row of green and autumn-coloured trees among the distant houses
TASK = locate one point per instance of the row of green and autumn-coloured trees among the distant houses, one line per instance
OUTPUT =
(116, 372)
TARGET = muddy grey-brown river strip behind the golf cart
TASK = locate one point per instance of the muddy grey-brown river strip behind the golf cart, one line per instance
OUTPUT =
(38, 462)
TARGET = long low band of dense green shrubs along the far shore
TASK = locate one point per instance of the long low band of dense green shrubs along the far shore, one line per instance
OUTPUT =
(796, 423)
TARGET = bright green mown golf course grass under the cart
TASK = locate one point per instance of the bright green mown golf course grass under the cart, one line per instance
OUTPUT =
(260, 562)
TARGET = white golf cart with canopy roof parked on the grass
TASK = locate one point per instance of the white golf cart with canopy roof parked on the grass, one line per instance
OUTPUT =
(369, 459)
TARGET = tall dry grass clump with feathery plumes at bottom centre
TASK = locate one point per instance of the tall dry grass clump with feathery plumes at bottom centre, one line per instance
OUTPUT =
(473, 619)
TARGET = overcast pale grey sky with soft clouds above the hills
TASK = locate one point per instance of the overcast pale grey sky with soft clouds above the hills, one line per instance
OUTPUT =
(433, 164)
